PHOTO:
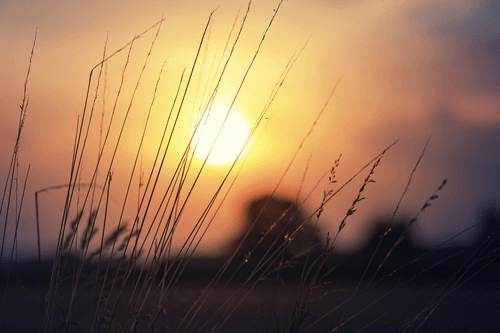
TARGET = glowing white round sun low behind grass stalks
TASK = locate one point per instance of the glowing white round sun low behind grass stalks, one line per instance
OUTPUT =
(230, 141)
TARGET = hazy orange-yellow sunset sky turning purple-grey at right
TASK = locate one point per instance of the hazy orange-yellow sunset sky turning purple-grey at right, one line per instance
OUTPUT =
(401, 70)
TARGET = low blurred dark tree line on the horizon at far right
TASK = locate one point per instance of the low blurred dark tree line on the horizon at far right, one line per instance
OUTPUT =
(471, 264)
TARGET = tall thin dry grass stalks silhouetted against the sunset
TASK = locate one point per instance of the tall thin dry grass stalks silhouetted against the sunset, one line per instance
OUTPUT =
(124, 277)
